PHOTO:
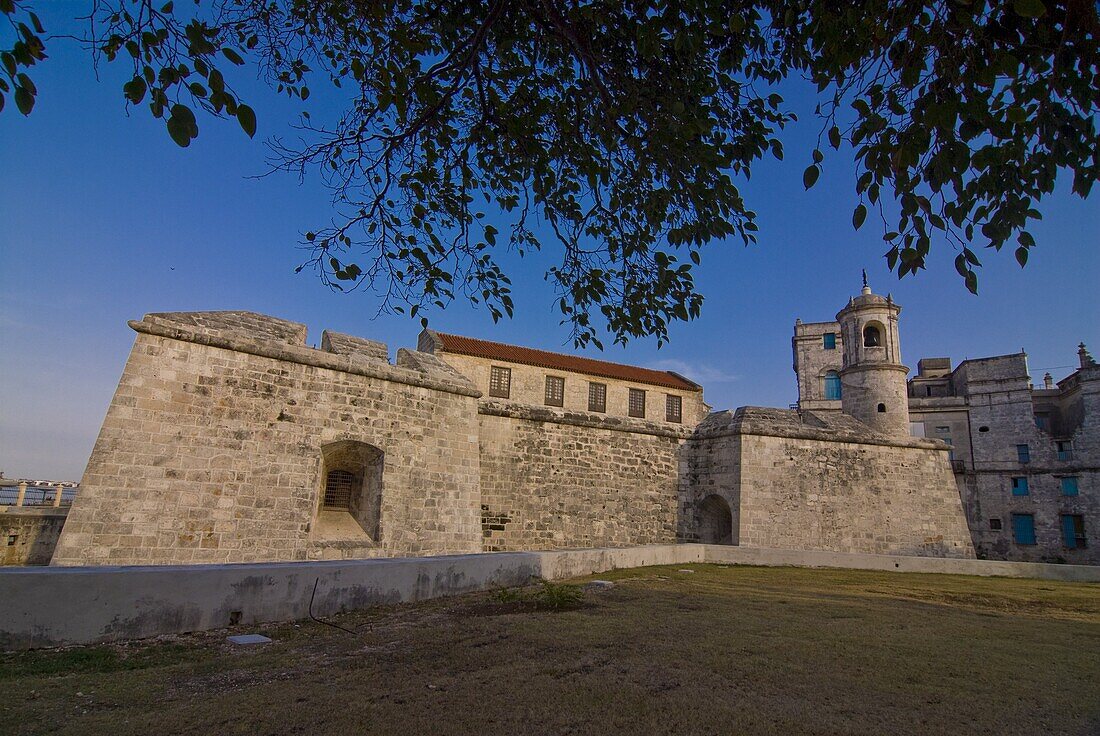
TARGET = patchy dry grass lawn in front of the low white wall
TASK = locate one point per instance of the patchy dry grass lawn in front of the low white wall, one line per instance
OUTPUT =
(719, 651)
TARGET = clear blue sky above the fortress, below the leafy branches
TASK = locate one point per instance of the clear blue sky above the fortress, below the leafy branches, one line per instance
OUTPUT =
(103, 219)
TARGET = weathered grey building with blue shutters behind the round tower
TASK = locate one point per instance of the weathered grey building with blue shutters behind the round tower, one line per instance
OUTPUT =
(1026, 458)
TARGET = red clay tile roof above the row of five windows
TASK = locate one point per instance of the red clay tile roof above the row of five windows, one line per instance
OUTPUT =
(463, 346)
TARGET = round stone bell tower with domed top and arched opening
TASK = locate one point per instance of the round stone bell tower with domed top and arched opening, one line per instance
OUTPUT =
(873, 377)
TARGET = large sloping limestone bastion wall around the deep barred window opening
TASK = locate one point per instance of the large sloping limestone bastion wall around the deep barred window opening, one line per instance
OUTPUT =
(212, 451)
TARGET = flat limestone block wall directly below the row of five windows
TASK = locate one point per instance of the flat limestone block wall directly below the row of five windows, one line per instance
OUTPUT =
(553, 479)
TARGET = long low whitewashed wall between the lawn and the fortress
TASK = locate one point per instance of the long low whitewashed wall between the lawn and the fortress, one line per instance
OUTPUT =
(57, 607)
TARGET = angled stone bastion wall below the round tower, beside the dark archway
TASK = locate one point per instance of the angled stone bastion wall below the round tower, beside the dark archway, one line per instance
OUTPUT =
(823, 482)
